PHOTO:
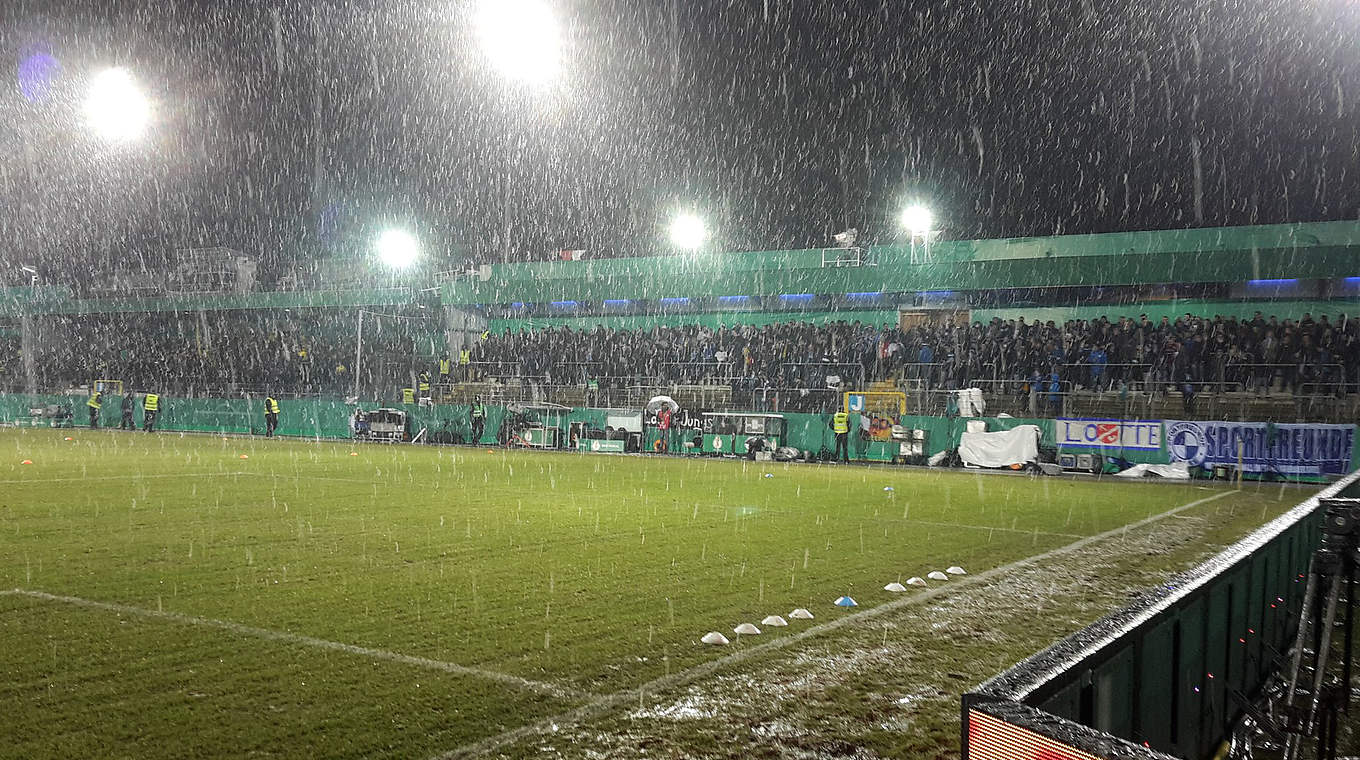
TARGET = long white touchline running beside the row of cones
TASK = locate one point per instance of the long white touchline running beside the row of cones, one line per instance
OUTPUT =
(606, 704)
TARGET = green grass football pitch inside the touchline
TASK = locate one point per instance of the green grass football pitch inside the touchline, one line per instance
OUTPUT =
(173, 596)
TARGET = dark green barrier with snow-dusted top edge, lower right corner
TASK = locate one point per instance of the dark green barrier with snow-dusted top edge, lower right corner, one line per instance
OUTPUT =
(1169, 675)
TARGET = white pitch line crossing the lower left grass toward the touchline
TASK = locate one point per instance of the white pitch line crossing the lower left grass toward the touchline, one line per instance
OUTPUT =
(515, 682)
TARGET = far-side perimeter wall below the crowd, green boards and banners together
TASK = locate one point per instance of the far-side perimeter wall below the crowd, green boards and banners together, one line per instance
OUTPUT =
(1314, 452)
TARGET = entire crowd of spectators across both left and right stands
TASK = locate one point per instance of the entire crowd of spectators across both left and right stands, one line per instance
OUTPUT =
(313, 351)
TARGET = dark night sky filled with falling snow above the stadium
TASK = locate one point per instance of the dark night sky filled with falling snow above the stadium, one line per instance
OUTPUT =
(781, 122)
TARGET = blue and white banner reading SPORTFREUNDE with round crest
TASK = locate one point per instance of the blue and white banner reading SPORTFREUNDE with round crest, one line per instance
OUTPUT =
(1285, 449)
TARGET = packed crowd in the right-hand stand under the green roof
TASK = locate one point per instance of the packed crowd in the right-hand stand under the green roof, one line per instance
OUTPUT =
(1222, 354)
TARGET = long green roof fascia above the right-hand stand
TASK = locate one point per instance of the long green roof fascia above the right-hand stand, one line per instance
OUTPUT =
(1230, 255)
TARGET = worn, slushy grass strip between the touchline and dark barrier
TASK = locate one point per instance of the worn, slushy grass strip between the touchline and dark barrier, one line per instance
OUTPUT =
(891, 687)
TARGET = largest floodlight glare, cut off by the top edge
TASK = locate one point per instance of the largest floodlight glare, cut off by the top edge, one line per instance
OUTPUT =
(522, 39)
